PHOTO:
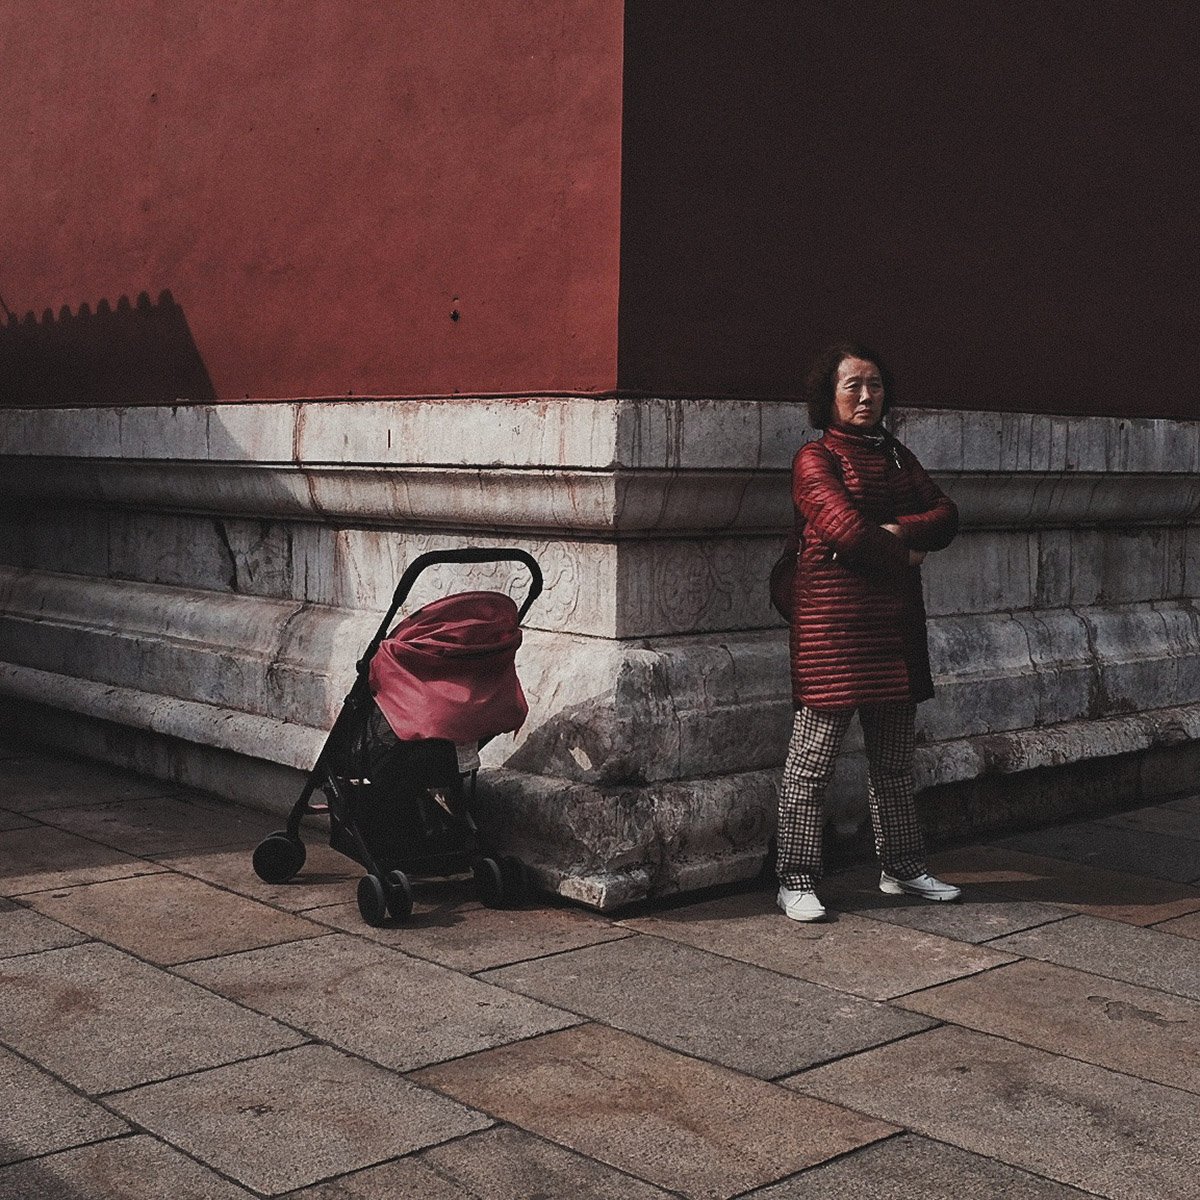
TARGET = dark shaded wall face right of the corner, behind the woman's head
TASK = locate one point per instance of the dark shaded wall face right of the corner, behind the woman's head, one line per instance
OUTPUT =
(998, 196)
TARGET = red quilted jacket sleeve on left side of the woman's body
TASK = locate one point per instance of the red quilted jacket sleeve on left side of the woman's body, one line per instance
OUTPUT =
(831, 517)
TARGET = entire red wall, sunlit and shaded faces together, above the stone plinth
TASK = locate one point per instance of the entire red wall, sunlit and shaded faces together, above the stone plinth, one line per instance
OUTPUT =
(995, 195)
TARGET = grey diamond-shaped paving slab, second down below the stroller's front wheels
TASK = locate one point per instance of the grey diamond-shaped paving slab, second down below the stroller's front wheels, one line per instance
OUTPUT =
(398, 1011)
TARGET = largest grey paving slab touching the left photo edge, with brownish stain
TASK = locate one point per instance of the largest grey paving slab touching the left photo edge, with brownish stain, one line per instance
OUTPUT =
(103, 1021)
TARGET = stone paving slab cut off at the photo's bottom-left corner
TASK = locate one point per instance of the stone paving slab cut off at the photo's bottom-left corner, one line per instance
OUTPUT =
(123, 1169)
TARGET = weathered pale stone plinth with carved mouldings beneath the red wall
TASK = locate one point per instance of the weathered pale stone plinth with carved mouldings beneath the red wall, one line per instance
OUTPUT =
(188, 590)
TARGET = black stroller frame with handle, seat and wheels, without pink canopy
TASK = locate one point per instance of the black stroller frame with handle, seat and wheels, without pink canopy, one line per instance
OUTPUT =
(431, 827)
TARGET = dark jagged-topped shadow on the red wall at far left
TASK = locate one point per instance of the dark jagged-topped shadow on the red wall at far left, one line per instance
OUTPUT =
(140, 353)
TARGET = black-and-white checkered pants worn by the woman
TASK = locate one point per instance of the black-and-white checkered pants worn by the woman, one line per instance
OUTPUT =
(817, 741)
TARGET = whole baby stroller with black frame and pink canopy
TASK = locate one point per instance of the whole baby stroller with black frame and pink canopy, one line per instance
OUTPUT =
(398, 770)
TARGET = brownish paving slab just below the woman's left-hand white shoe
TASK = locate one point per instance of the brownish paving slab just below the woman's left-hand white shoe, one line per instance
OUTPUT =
(848, 953)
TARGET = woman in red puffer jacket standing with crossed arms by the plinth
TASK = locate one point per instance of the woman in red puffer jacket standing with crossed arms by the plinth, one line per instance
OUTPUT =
(867, 514)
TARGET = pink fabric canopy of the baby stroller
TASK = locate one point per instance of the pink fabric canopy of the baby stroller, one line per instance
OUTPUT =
(448, 671)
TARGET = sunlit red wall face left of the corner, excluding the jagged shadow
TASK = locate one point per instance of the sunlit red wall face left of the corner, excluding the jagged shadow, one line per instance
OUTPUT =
(321, 183)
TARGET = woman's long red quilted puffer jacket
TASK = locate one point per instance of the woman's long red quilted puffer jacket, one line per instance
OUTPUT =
(859, 619)
